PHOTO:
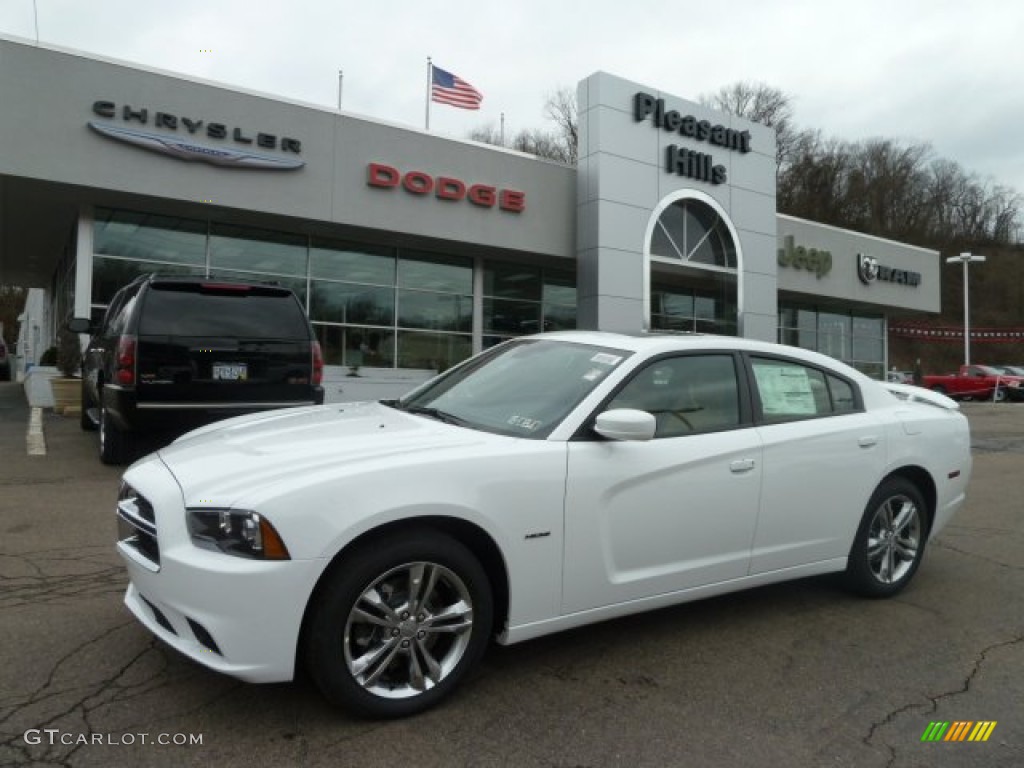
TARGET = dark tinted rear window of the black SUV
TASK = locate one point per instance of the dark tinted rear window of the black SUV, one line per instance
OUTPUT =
(220, 310)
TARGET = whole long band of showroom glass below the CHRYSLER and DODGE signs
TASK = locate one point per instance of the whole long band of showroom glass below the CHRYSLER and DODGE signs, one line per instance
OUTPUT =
(371, 306)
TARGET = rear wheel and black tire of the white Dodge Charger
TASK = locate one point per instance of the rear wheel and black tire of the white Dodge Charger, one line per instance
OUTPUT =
(890, 541)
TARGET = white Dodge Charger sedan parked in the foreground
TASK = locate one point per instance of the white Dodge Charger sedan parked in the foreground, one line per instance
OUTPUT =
(549, 483)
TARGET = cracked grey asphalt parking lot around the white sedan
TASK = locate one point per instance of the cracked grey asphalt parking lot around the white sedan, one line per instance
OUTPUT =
(792, 675)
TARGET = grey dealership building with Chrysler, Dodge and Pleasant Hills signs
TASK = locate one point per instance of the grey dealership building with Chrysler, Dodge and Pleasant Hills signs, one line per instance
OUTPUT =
(412, 251)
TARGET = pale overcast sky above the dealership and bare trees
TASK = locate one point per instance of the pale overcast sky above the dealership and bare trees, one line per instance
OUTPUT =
(944, 72)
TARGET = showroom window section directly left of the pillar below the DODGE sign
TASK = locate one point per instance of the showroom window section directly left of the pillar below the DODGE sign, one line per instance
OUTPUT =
(435, 311)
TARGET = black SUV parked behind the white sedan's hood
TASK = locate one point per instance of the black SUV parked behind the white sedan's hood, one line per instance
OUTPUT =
(180, 353)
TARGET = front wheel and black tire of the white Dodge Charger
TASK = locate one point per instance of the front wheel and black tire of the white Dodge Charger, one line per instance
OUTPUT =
(413, 654)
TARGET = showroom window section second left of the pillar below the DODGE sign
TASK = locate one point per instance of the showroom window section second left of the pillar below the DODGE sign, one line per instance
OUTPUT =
(352, 303)
